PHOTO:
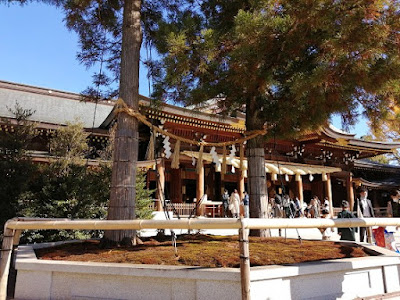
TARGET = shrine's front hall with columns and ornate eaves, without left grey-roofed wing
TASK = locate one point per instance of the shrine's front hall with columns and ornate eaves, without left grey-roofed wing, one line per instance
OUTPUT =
(317, 163)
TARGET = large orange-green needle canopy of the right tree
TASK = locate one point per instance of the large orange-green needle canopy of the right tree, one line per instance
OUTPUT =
(292, 63)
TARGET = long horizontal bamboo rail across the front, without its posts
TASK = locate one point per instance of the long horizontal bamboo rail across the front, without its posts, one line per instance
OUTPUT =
(252, 223)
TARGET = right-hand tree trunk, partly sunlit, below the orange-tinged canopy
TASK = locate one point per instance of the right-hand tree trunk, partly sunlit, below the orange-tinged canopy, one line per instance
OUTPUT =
(256, 176)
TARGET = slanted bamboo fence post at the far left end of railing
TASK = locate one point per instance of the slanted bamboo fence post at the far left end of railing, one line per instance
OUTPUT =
(6, 251)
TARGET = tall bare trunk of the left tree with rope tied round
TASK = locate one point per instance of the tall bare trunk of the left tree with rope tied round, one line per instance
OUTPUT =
(122, 198)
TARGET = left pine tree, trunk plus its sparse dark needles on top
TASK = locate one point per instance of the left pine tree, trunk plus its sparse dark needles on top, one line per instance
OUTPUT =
(110, 33)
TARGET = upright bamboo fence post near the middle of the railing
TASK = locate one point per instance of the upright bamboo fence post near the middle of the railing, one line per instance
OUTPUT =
(244, 260)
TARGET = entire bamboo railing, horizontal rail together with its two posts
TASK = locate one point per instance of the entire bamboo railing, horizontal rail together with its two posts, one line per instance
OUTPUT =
(13, 228)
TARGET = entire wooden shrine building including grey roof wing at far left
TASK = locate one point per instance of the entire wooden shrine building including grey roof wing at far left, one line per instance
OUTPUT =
(325, 163)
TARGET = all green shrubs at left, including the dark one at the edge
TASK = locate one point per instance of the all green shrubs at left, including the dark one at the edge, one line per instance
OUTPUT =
(64, 188)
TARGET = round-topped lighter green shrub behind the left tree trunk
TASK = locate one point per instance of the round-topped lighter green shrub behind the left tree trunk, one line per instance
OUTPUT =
(68, 188)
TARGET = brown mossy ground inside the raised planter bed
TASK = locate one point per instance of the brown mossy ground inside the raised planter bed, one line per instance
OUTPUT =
(204, 251)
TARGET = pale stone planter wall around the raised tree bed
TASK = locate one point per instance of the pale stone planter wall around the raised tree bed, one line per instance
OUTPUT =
(330, 279)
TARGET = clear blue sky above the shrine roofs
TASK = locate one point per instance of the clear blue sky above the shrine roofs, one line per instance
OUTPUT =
(37, 49)
